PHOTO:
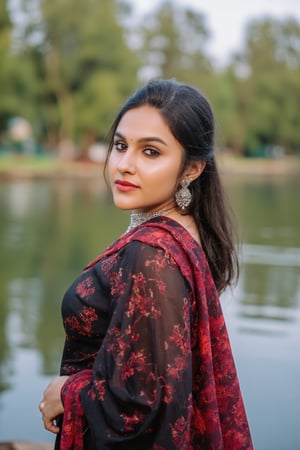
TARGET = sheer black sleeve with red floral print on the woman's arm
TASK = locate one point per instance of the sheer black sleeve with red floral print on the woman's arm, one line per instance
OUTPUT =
(139, 391)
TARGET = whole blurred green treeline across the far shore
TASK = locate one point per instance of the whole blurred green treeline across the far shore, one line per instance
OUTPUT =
(67, 66)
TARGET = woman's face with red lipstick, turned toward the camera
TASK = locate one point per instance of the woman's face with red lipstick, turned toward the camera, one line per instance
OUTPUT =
(145, 162)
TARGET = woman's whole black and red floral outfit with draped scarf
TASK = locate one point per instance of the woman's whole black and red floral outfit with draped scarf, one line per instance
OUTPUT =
(147, 350)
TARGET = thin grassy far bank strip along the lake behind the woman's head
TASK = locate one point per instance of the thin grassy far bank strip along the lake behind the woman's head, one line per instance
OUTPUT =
(229, 165)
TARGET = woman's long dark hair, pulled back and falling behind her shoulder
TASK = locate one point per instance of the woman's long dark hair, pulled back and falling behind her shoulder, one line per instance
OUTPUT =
(191, 121)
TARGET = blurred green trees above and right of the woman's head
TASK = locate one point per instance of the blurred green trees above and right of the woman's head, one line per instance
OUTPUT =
(255, 98)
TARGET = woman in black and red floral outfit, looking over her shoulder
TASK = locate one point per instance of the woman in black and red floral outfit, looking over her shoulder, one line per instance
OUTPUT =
(147, 362)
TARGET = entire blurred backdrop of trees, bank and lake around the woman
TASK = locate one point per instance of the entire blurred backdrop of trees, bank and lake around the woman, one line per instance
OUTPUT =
(66, 66)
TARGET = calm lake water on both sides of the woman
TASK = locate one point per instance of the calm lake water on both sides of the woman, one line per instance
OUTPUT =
(50, 229)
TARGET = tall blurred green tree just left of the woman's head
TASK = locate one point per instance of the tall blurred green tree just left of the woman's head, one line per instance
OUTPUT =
(89, 67)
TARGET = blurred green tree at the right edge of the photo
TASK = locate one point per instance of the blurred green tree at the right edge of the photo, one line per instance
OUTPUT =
(269, 89)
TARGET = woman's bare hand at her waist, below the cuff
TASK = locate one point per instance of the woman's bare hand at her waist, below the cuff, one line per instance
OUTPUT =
(51, 405)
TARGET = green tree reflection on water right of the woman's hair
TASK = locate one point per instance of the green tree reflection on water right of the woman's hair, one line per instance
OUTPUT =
(267, 210)
